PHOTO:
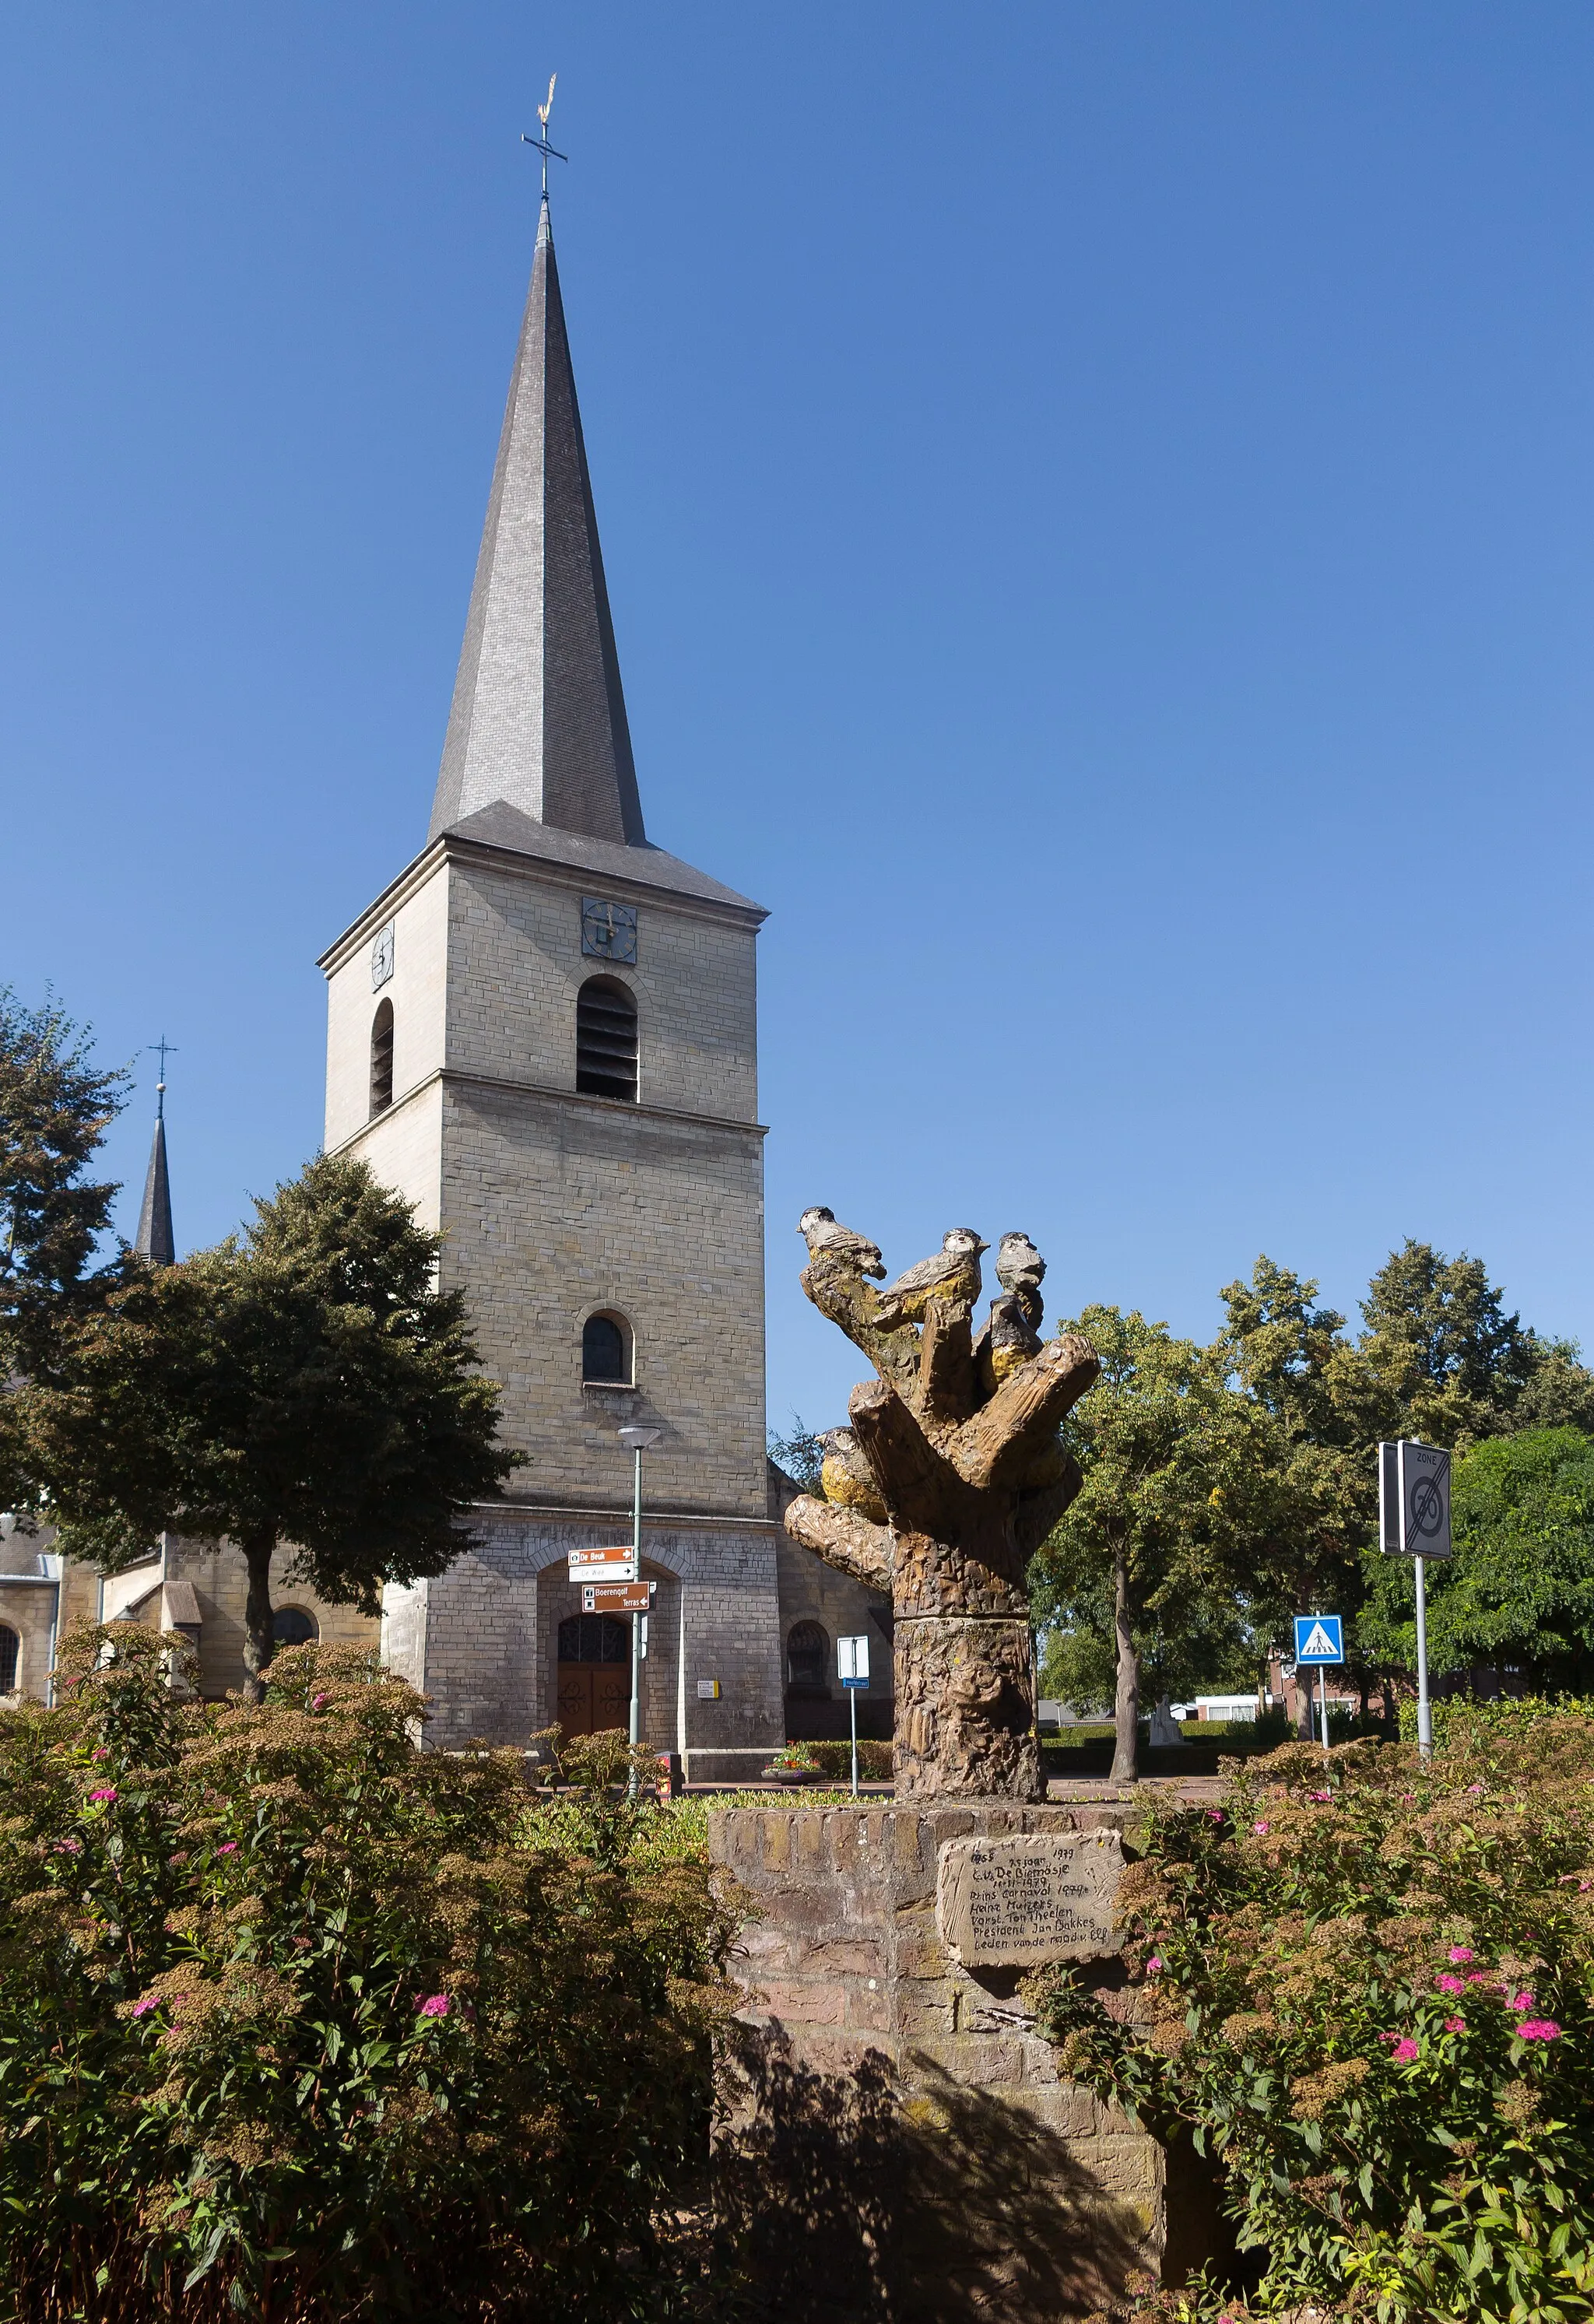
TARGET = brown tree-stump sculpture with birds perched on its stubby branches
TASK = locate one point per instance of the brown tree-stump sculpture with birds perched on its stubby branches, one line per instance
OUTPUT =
(947, 1484)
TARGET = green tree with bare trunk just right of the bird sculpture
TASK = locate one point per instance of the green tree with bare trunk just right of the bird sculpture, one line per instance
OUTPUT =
(1179, 1502)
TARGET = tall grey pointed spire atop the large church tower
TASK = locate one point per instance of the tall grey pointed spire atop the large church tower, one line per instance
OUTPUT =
(538, 712)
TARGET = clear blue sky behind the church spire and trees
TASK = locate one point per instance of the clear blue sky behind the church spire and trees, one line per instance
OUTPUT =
(1098, 508)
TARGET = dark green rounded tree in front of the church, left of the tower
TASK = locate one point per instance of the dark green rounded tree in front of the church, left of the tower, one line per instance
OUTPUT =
(306, 1386)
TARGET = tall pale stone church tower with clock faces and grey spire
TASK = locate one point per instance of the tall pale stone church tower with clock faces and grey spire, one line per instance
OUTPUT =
(545, 1035)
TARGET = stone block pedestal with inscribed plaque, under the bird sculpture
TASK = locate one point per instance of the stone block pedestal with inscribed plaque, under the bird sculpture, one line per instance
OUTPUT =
(896, 2137)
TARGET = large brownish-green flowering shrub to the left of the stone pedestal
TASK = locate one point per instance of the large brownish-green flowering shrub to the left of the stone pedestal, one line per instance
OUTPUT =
(301, 2023)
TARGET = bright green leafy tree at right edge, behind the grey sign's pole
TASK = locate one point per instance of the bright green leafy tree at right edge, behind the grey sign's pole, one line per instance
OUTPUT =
(1521, 1586)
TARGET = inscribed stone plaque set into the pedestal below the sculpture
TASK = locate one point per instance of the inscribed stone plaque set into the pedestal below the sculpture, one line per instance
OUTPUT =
(1031, 1900)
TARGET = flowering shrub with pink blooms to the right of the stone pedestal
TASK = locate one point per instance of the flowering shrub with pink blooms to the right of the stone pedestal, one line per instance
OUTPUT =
(1370, 1997)
